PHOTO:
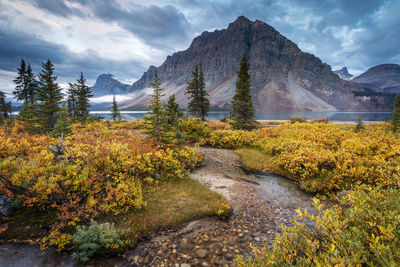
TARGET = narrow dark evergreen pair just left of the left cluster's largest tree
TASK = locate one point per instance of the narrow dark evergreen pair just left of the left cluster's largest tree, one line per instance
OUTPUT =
(26, 84)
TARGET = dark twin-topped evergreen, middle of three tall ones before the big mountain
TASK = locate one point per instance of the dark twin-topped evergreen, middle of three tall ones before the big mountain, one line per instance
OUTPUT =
(199, 104)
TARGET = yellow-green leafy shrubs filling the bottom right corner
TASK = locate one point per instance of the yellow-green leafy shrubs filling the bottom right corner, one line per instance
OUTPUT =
(364, 230)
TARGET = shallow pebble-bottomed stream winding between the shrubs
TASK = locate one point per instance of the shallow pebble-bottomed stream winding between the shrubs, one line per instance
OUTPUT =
(260, 202)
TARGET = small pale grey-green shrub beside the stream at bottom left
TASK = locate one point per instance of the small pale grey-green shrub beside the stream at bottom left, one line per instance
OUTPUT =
(89, 240)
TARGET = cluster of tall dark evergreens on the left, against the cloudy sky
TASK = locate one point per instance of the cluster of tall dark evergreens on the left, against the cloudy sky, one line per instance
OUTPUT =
(44, 109)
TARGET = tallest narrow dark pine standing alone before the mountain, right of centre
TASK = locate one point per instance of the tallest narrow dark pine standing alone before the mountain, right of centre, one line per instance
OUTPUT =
(242, 105)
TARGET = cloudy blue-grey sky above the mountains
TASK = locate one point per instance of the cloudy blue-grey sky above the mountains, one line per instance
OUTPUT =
(124, 37)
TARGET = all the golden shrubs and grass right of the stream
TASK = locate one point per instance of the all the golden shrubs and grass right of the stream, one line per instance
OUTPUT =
(357, 166)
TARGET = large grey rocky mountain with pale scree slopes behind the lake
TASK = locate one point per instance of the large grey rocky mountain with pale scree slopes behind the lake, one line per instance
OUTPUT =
(283, 77)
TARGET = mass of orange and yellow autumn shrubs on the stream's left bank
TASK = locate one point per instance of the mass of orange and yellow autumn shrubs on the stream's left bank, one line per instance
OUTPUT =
(101, 172)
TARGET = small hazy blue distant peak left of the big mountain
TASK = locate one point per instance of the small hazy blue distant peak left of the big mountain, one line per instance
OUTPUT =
(107, 85)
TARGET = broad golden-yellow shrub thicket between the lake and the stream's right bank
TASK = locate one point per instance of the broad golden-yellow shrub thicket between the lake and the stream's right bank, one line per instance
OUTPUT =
(325, 156)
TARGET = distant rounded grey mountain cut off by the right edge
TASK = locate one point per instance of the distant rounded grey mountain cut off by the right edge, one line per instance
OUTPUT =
(383, 78)
